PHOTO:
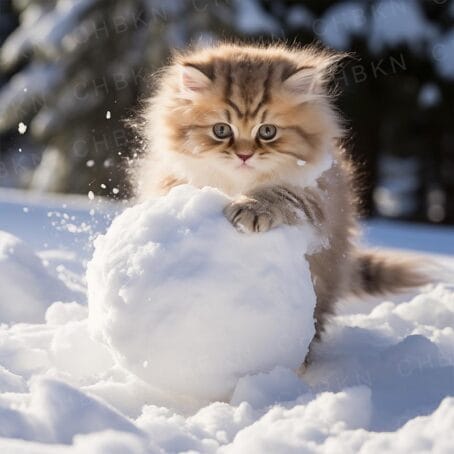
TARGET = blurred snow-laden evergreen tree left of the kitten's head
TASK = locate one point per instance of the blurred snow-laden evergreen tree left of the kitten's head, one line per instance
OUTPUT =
(83, 65)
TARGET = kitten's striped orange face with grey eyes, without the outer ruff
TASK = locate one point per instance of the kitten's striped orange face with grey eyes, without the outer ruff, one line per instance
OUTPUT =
(248, 117)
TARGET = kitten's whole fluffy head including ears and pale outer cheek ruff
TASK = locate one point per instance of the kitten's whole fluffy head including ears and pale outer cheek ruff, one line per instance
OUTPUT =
(245, 115)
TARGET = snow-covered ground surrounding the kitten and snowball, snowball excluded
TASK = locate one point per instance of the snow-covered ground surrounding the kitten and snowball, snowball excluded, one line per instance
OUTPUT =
(382, 380)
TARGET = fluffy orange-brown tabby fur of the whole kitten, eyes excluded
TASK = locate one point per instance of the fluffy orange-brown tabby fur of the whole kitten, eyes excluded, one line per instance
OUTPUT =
(301, 176)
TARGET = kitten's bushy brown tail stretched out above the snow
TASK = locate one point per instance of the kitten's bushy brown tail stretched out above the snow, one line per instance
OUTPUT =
(377, 272)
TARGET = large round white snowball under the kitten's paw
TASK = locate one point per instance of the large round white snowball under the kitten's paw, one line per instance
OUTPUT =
(190, 305)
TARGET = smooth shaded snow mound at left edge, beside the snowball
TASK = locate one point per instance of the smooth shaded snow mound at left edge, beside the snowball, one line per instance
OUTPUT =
(27, 288)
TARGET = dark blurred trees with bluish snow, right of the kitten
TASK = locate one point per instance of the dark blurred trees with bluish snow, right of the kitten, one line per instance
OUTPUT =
(398, 91)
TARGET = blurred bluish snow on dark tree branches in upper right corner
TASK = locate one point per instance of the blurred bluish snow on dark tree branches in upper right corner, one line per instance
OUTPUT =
(385, 24)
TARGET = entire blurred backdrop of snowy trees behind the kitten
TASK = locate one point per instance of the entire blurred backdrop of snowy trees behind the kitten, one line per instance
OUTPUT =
(71, 72)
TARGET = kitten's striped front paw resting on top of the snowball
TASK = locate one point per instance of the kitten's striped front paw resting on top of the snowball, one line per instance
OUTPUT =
(249, 216)
